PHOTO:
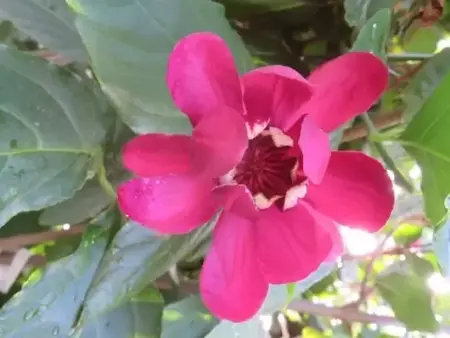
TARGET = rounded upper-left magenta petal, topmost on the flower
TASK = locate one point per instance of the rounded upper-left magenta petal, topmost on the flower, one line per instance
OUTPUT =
(202, 76)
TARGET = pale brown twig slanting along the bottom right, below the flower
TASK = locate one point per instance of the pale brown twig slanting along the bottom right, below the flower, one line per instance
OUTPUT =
(346, 314)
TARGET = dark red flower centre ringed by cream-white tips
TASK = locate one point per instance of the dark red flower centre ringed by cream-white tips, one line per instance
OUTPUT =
(271, 170)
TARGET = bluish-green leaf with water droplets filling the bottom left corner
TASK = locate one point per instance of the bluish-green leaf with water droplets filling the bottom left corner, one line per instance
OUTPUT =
(49, 307)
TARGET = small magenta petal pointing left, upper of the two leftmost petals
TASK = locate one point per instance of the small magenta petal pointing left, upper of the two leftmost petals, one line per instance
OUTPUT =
(158, 154)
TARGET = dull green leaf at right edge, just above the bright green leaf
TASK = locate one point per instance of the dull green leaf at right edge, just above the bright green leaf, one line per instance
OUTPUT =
(425, 82)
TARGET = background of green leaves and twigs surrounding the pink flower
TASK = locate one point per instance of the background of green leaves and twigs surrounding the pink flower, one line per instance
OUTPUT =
(80, 78)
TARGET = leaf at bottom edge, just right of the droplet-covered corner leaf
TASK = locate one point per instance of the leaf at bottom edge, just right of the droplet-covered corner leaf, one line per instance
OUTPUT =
(140, 317)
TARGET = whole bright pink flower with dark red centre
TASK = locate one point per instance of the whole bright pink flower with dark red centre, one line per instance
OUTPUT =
(259, 152)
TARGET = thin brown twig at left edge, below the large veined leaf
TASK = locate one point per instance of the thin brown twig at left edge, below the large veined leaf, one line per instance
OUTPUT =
(20, 241)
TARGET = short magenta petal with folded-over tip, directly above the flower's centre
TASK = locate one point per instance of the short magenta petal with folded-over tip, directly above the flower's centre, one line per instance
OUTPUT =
(275, 93)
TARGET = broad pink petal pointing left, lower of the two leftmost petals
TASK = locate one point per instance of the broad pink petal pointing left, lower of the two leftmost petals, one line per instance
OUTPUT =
(169, 204)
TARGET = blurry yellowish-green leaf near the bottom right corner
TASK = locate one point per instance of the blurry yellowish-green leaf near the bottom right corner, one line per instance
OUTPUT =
(408, 295)
